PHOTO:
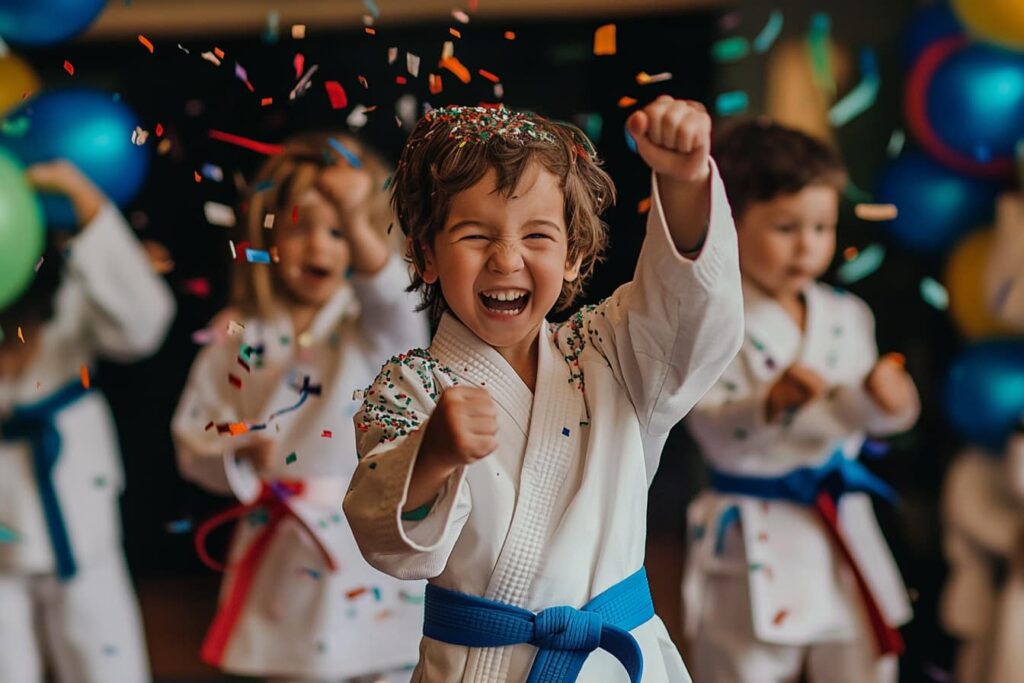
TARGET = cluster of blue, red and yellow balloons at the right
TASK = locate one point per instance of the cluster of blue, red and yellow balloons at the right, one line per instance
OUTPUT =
(964, 105)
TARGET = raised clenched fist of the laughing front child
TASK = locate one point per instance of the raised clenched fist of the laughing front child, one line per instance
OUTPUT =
(673, 137)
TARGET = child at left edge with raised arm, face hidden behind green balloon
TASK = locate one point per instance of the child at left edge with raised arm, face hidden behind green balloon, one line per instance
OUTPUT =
(66, 595)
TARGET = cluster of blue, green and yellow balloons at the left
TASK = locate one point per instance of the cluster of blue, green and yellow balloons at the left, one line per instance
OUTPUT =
(91, 129)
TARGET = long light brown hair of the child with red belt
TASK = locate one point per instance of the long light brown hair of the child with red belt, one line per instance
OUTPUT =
(277, 188)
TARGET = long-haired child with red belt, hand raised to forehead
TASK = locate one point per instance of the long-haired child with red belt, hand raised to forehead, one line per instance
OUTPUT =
(276, 399)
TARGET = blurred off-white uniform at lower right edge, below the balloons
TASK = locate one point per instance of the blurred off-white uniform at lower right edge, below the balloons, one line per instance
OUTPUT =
(984, 527)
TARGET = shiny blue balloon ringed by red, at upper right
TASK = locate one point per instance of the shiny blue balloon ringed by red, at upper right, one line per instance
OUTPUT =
(975, 102)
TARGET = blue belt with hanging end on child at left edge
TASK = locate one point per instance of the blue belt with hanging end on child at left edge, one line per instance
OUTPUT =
(36, 423)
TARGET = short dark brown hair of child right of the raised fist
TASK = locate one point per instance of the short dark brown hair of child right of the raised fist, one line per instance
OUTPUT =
(760, 160)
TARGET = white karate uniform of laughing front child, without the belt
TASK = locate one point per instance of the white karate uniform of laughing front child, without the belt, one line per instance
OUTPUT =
(557, 515)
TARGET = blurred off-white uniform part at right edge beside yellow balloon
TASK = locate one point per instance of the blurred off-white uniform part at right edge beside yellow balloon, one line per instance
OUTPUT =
(1005, 271)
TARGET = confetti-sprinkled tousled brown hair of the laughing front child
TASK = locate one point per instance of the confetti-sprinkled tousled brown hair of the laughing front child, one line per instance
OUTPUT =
(452, 149)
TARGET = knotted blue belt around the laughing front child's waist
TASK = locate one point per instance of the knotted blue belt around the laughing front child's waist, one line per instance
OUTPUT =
(565, 636)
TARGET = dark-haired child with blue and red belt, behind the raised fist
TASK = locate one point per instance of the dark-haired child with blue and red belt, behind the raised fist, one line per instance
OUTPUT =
(789, 571)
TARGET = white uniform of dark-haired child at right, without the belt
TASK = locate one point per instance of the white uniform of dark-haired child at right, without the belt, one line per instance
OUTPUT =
(778, 584)
